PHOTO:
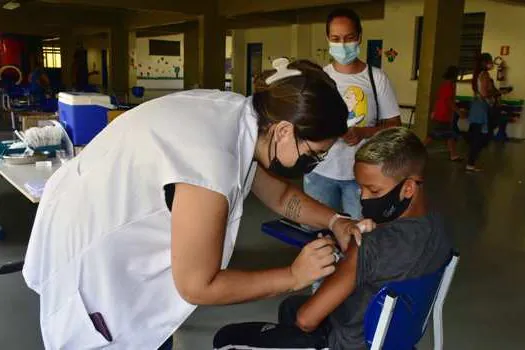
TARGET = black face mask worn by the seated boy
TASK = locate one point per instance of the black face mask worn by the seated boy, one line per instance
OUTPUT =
(386, 208)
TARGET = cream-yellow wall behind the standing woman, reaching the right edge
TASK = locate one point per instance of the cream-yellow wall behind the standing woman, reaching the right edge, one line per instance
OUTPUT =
(503, 26)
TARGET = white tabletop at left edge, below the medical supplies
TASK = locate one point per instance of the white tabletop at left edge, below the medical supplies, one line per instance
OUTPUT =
(19, 175)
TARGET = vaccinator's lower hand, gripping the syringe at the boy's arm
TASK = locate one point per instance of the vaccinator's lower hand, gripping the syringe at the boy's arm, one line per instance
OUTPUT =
(315, 261)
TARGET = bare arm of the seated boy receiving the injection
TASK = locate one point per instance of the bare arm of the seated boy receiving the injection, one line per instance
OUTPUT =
(333, 291)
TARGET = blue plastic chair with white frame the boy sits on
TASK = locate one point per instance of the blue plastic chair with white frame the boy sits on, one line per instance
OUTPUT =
(397, 316)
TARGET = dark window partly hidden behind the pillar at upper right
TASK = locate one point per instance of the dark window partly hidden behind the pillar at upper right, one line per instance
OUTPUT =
(471, 44)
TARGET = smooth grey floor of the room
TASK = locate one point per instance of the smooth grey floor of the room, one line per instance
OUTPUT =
(485, 308)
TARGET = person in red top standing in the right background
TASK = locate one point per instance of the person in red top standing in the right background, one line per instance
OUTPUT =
(443, 115)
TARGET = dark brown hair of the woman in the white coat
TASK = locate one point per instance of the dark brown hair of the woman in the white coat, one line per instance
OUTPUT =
(310, 101)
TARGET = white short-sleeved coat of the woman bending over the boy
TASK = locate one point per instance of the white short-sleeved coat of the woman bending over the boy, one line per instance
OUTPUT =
(101, 238)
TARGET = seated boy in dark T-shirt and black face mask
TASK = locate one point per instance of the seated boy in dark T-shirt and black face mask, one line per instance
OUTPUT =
(408, 242)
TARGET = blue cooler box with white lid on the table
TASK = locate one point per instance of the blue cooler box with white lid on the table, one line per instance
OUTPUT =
(83, 115)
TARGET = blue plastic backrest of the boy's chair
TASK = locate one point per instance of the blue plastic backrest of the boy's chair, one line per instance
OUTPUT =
(414, 300)
